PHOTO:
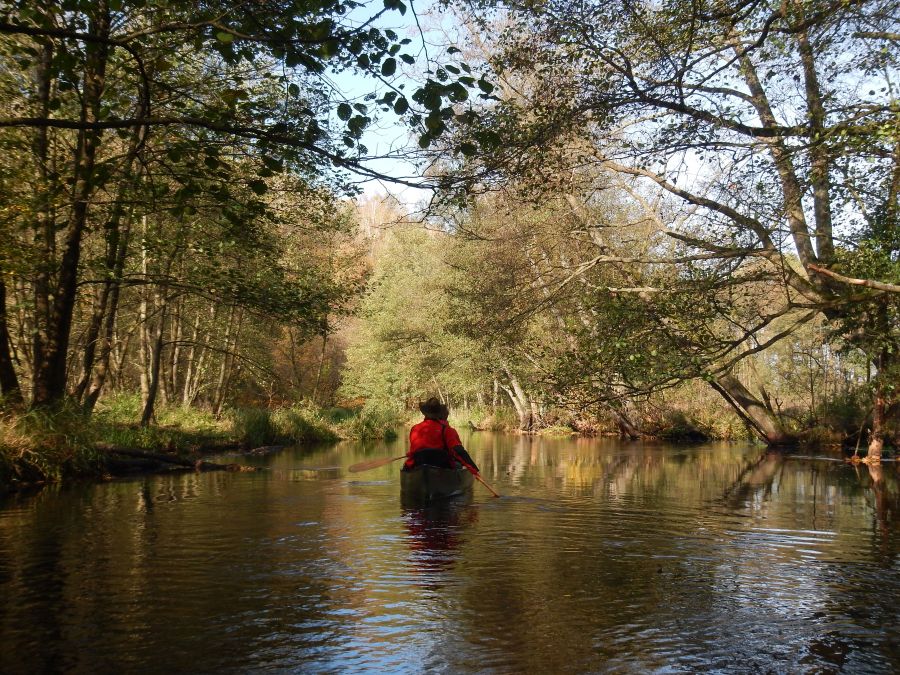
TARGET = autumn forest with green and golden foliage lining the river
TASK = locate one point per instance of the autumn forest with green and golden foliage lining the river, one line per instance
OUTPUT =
(657, 220)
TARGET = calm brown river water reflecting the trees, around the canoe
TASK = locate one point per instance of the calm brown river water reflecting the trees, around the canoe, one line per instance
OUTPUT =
(599, 557)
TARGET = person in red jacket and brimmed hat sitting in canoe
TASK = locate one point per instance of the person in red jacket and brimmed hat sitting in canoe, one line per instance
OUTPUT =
(433, 441)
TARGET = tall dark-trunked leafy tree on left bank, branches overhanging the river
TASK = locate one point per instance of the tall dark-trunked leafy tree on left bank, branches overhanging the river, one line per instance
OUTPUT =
(93, 84)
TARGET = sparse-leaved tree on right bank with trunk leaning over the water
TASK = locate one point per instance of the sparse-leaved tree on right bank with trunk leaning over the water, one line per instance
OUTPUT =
(771, 129)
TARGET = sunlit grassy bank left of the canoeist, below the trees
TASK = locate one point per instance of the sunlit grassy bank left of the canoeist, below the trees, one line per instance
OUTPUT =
(40, 446)
